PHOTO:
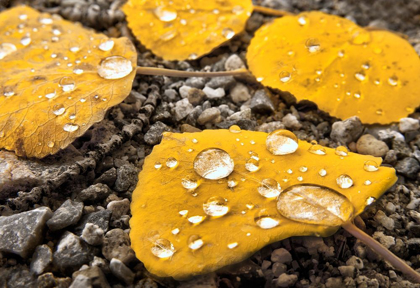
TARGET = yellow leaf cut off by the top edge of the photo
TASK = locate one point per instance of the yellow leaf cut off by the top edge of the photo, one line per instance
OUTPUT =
(178, 29)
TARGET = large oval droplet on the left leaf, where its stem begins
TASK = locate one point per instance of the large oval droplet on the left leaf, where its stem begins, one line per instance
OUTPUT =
(114, 67)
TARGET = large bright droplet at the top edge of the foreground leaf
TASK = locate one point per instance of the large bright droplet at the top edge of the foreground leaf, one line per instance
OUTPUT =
(281, 142)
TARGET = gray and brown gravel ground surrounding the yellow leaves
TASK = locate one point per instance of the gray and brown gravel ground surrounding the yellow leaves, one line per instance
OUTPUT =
(71, 210)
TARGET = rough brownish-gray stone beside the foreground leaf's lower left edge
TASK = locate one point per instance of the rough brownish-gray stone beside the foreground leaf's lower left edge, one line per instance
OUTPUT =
(117, 245)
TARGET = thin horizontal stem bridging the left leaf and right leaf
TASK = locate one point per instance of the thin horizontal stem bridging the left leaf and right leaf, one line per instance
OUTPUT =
(177, 73)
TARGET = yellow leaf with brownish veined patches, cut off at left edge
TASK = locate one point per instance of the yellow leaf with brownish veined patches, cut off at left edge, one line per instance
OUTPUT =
(56, 80)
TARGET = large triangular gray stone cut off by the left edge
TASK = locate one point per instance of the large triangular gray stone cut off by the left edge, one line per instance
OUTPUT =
(21, 233)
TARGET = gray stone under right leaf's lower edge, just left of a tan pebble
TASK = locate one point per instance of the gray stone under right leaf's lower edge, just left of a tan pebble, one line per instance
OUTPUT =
(347, 131)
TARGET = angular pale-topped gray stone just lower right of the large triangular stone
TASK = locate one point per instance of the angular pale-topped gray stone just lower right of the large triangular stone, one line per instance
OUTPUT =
(71, 253)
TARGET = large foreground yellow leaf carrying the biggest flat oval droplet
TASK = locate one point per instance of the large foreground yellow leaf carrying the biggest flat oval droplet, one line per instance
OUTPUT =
(210, 199)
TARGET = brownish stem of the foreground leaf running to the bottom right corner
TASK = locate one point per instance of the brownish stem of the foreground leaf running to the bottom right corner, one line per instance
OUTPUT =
(381, 250)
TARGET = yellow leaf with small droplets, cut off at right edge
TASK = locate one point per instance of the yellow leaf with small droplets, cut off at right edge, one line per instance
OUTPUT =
(345, 69)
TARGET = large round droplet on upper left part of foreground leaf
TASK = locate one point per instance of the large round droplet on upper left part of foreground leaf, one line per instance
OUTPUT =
(213, 164)
